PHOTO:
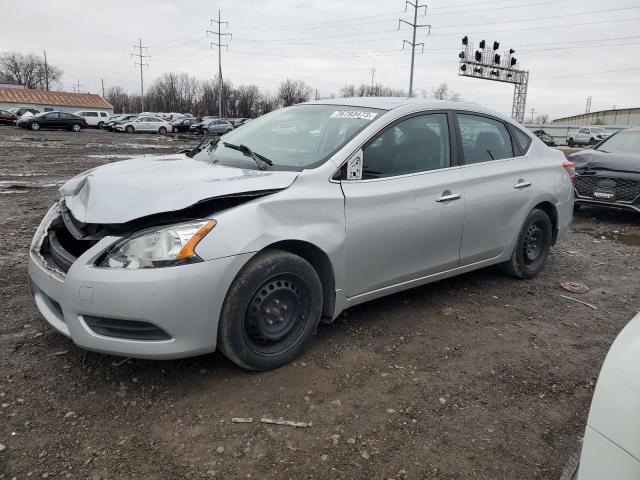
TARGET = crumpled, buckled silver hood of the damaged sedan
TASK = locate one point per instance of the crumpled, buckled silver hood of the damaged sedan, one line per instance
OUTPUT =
(123, 191)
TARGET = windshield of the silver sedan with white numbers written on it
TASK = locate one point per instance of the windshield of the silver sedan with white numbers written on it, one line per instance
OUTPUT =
(293, 138)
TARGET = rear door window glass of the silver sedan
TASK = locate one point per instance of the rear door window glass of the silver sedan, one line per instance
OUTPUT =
(484, 139)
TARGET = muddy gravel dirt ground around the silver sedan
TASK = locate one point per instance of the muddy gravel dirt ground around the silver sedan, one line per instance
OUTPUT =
(476, 377)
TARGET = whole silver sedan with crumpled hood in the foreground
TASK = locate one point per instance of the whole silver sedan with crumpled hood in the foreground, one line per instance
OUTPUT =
(247, 242)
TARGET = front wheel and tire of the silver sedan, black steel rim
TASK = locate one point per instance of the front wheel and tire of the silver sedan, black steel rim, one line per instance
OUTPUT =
(271, 311)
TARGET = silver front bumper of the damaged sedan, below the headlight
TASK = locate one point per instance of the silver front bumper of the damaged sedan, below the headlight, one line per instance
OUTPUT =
(156, 313)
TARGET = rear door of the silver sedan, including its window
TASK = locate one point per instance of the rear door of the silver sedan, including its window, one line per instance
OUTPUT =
(498, 187)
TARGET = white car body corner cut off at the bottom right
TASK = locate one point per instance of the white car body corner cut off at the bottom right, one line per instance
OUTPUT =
(611, 445)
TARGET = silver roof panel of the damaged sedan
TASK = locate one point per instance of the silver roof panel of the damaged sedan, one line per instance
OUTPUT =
(390, 103)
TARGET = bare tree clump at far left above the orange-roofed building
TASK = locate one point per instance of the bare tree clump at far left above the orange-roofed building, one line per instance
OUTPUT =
(28, 70)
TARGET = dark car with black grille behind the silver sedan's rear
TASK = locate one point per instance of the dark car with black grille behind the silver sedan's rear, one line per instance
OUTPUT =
(608, 175)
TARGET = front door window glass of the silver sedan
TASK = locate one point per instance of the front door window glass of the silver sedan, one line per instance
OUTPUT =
(418, 144)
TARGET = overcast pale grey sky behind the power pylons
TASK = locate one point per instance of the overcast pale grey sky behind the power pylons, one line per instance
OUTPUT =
(573, 48)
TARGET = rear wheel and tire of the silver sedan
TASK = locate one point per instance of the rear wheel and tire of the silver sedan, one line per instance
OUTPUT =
(532, 247)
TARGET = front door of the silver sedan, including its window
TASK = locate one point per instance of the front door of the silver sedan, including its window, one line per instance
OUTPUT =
(404, 216)
